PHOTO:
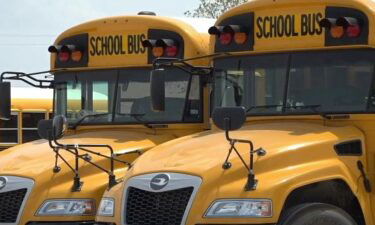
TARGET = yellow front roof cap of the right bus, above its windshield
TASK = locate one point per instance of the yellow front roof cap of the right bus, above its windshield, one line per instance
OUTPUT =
(295, 25)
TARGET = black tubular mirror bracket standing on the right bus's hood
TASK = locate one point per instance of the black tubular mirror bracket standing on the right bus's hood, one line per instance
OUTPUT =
(252, 182)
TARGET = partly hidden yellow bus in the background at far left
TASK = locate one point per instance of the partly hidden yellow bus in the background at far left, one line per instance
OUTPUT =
(28, 107)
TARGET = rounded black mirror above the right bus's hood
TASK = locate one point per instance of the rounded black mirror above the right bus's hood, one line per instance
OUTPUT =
(229, 118)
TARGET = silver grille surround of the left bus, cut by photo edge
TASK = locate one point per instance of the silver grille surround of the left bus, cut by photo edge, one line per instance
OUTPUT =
(16, 183)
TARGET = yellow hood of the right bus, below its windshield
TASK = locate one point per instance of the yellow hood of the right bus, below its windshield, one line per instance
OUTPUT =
(286, 144)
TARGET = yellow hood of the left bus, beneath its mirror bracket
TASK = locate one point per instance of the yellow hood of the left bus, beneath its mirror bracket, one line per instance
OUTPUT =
(36, 159)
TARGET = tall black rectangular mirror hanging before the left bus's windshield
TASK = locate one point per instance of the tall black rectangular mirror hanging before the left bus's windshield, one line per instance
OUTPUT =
(157, 86)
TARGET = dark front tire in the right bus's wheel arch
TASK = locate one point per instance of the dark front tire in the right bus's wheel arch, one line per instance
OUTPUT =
(316, 214)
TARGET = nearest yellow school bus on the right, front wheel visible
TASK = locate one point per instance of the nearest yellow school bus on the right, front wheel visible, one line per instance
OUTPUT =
(294, 137)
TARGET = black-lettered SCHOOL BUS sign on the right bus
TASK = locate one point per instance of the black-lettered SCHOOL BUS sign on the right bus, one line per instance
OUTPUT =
(281, 28)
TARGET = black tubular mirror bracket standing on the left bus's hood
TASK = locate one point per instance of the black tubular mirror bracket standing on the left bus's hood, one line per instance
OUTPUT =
(74, 149)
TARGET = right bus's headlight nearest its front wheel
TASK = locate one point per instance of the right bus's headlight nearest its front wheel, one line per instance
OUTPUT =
(240, 208)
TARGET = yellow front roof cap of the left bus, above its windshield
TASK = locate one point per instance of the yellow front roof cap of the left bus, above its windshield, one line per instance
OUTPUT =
(117, 41)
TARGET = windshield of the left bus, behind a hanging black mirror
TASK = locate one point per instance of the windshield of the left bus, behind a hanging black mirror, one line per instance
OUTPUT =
(119, 97)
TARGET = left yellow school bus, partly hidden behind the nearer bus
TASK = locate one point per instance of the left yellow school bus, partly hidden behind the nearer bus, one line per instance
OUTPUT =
(101, 86)
